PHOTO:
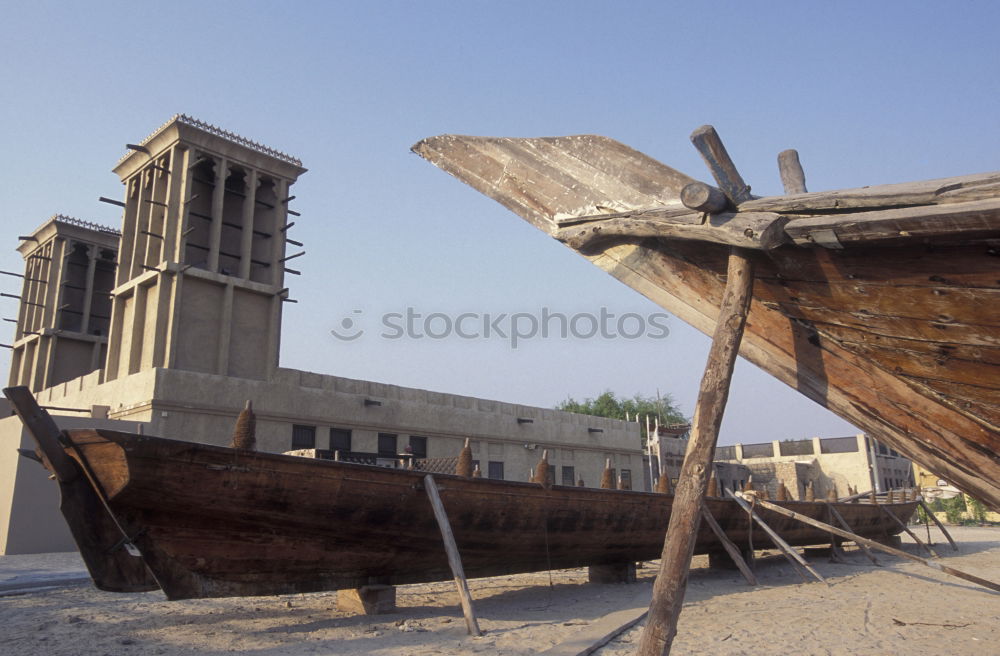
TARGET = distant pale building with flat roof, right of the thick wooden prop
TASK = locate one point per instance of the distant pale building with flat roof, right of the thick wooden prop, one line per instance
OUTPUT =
(830, 464)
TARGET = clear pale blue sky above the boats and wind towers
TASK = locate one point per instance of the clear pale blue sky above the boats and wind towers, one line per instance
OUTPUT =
(869, 93)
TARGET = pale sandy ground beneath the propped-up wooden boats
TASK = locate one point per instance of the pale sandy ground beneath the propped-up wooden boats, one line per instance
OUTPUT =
(864, 610)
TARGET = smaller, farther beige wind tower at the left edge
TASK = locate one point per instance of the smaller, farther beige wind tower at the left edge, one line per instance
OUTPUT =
(65, 309)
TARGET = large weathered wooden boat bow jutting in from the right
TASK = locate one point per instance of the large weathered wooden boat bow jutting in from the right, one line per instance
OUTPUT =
(882, 303)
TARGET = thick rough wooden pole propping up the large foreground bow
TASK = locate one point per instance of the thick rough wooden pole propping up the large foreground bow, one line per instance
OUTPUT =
(668, 591)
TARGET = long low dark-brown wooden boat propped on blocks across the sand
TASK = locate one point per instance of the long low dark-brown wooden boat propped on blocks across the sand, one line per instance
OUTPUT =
(198, 520)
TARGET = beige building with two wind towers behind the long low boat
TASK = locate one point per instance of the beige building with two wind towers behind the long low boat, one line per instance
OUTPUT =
(169, 326)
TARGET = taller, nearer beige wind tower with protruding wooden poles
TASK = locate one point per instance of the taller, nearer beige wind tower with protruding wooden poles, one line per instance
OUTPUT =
(200, 283)
